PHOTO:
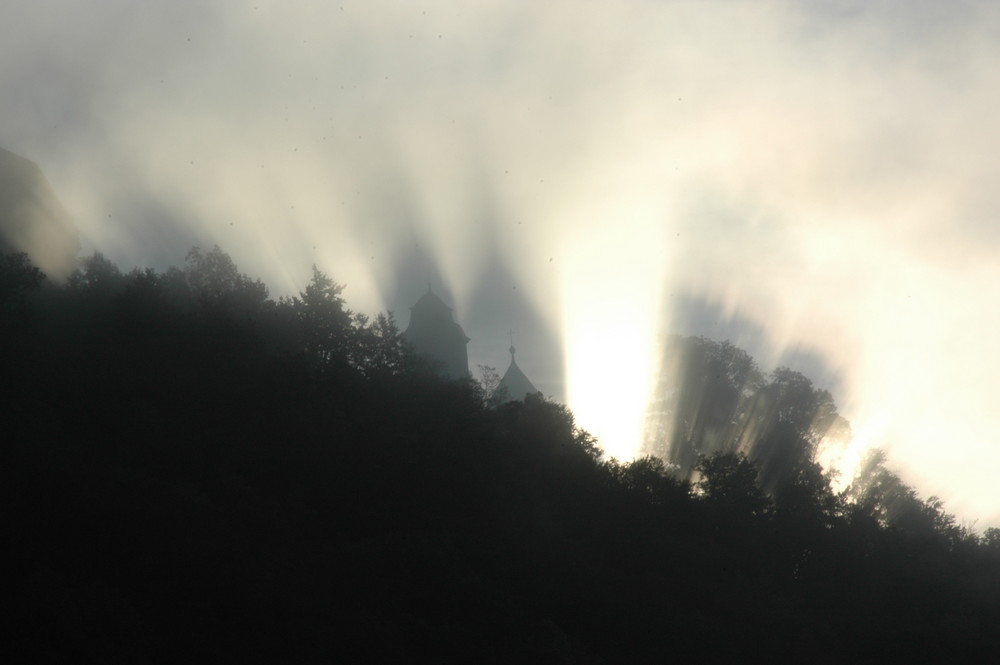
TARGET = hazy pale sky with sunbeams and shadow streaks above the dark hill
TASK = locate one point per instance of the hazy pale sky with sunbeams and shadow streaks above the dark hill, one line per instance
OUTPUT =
(815, 181)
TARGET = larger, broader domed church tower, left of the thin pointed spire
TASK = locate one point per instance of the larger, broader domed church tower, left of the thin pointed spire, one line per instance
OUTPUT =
(433, 332)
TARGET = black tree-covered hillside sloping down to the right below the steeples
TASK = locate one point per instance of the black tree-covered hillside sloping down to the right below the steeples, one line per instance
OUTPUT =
(192, 468)
